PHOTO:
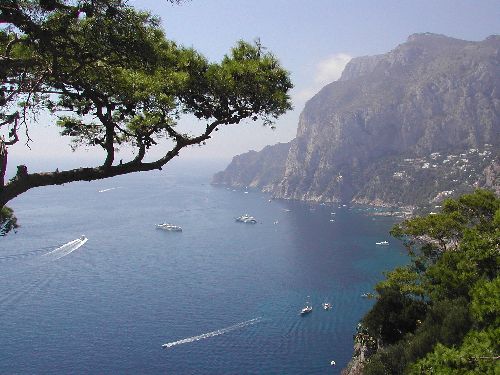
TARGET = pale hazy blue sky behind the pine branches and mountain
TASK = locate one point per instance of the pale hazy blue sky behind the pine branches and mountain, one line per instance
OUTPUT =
(312, 39)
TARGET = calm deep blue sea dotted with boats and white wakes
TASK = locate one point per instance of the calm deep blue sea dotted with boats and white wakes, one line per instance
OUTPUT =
(220, 297)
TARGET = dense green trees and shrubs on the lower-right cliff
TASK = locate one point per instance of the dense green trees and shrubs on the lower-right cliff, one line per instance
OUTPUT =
(441, 313)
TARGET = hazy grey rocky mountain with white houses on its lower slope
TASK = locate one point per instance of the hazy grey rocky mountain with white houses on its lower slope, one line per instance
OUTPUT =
(409, 126)
